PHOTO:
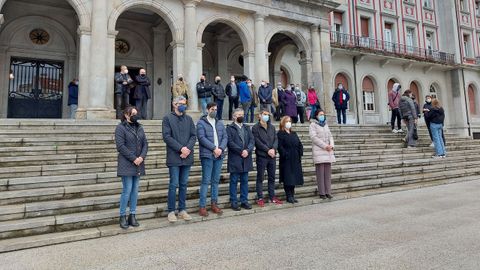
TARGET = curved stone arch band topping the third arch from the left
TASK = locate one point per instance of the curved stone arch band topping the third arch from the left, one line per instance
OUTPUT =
(235, 23)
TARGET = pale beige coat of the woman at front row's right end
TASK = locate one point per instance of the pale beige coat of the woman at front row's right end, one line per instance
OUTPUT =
(321, 137)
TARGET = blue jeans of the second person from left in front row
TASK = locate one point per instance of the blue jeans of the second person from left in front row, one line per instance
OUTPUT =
(178, 179)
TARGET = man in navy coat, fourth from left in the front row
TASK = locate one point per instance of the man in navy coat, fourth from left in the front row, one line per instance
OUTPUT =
(240, 148)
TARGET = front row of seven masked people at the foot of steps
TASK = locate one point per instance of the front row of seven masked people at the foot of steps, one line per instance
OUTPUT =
(180, 135)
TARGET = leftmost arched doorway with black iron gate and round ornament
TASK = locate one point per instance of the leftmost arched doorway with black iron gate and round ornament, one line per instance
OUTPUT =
(40, 58)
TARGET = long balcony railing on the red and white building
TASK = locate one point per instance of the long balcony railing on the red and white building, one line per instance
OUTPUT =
(389, 48)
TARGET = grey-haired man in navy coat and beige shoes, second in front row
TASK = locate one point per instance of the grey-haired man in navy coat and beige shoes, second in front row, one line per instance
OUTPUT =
(179, 134)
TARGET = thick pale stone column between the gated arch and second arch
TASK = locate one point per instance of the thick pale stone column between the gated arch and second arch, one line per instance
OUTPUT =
(98, 105)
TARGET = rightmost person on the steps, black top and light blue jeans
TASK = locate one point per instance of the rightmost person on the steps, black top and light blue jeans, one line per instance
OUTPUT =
(436, 117)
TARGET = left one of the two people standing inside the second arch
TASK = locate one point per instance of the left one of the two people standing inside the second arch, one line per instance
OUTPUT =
(123, 83)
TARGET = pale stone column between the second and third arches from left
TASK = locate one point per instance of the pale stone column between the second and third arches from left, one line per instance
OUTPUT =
(191, 65)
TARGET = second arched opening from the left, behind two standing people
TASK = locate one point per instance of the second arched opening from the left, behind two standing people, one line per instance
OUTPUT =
(143, 41)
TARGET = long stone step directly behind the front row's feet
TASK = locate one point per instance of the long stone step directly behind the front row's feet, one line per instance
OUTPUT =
(80, 220)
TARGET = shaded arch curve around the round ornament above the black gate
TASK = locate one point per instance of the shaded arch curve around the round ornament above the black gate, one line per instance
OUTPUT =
(12, 29)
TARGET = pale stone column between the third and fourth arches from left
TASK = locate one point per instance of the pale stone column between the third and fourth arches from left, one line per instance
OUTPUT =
(260, 49)
